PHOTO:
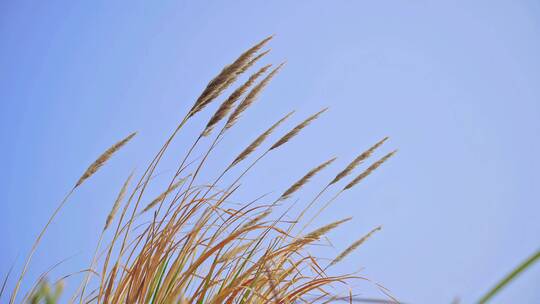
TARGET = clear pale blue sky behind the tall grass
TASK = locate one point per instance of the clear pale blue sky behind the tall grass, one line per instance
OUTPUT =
(453, 83)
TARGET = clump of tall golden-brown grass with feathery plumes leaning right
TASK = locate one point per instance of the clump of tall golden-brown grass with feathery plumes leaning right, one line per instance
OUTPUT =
(189, 244)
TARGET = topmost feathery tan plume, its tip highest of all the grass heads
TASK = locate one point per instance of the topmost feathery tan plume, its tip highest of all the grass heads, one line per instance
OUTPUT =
(222, 80)
